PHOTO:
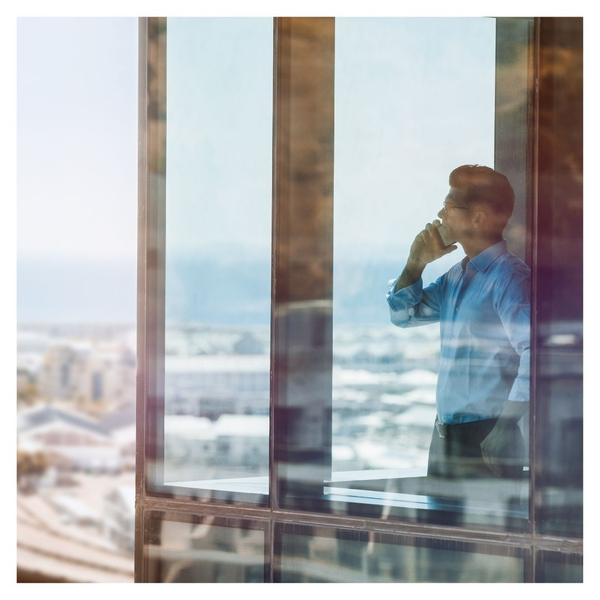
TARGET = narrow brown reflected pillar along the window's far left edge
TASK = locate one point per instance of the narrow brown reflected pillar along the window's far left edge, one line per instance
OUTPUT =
(151, 255)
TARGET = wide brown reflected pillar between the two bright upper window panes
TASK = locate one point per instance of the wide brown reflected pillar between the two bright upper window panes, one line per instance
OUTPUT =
(303, 257)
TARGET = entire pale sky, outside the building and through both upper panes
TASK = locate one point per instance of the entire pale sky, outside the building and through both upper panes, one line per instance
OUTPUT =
(406, 89)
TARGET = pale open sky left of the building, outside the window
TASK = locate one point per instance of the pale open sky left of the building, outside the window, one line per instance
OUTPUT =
(77, 169)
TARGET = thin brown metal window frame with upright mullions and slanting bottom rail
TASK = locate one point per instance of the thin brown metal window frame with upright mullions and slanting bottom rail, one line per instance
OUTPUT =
(151, 342)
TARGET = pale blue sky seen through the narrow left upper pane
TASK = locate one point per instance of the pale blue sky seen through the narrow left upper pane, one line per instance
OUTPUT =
(219, 135)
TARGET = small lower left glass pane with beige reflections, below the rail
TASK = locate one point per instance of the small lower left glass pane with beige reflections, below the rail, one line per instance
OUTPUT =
(187, 549)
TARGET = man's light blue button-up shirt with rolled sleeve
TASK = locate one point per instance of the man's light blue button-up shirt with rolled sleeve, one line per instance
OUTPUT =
(483, 307)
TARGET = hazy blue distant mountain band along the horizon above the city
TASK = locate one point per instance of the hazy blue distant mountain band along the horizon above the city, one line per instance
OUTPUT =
(199, 289)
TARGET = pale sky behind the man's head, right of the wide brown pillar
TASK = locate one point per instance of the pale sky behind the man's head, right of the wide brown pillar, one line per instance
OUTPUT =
(414, 98)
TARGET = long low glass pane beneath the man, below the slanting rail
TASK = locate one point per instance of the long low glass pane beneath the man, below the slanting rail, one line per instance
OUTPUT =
(316, 554)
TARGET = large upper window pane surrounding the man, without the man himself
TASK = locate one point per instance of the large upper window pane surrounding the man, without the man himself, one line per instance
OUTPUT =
(401, 126)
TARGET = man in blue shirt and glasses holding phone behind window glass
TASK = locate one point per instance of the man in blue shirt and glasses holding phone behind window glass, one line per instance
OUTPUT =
(483, 306)
